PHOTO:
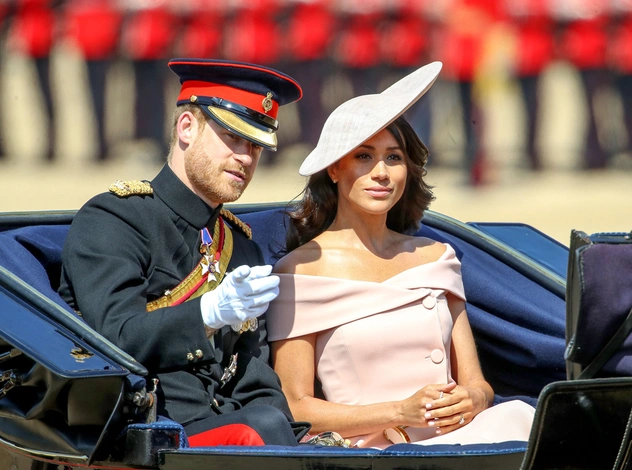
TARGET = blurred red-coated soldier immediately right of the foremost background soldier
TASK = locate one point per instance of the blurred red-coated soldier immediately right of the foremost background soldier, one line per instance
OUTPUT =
(534, 50)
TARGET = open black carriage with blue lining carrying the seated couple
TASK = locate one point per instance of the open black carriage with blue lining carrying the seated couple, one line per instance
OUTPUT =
(71, 399)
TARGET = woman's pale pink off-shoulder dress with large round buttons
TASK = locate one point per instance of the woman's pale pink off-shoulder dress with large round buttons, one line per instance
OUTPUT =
(379, 342)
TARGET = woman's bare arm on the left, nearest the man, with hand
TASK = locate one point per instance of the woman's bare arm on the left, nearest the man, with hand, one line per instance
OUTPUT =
(293, 361)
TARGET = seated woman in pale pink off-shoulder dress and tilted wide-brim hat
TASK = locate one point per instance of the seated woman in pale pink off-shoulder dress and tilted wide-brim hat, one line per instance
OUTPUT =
(369, 313)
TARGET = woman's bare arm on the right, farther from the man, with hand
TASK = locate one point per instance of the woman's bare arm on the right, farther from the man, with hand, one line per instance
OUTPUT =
(473, 393)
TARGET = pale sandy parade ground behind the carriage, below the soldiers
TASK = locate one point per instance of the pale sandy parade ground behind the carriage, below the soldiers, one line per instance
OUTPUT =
(554, 202)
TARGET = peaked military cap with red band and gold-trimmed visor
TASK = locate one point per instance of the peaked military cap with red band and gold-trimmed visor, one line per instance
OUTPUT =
(241, 97)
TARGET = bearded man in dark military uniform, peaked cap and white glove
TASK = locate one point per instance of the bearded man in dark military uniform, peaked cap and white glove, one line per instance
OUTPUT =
(172, 278)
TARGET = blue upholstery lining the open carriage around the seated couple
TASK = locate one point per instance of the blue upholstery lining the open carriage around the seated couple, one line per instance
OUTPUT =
(518, 325)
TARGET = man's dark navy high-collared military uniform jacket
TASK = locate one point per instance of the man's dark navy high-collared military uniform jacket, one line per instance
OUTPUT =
(123, 252)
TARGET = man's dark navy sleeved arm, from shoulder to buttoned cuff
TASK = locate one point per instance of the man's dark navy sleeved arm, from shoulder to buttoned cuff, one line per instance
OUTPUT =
(105, 276)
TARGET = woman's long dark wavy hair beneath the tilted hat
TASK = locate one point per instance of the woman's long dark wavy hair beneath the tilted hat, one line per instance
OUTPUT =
(315, 212)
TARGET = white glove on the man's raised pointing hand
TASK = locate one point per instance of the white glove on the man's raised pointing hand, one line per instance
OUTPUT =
(245, 293)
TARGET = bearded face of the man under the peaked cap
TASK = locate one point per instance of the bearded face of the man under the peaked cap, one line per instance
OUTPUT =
(220, 164)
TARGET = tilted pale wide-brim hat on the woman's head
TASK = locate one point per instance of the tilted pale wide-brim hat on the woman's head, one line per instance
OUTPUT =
(357, 120)
